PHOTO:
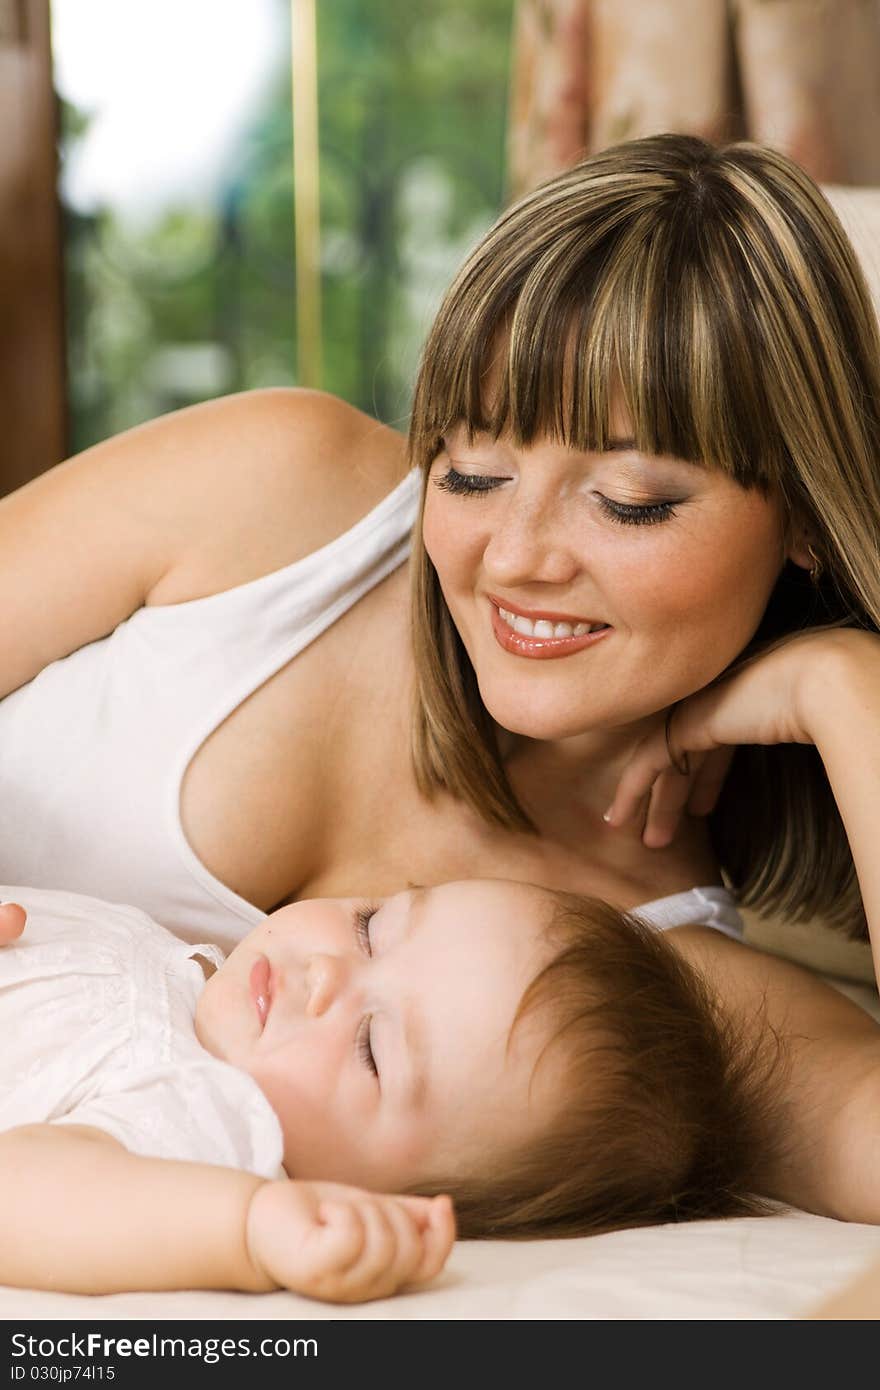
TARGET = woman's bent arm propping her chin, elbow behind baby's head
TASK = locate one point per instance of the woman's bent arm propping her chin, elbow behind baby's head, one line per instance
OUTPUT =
(818, 689)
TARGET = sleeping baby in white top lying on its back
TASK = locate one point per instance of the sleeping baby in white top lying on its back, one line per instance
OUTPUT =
(173, 1120)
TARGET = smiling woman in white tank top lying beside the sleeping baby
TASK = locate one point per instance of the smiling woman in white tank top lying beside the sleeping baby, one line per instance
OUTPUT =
(649, 412)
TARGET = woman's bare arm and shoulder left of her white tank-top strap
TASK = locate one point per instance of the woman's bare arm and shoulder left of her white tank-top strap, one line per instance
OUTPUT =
(187, 505)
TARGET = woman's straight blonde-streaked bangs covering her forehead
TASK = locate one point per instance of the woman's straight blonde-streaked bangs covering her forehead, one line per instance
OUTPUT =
(646, 313)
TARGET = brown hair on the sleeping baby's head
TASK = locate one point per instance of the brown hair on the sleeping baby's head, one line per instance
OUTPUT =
(669, 1109)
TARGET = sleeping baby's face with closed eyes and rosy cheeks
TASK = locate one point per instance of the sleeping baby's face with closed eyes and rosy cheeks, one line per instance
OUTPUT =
(380, 1032)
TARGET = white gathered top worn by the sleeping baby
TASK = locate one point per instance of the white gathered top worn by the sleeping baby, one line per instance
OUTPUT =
(97, 1015)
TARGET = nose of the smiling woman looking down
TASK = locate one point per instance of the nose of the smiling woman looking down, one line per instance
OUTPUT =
(530, 543)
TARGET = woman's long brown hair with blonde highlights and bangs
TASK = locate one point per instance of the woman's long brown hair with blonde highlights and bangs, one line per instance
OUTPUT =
(718, 291)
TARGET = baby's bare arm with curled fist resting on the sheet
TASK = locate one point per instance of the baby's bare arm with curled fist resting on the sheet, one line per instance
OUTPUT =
(81, 1214)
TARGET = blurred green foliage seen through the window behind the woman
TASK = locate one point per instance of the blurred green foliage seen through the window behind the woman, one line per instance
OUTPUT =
(202, 301)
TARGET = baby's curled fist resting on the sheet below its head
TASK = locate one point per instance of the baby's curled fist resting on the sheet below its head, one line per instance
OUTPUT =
(347, 1245)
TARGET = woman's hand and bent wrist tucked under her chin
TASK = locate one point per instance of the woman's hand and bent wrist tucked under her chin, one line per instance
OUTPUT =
(769, 700)
